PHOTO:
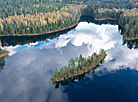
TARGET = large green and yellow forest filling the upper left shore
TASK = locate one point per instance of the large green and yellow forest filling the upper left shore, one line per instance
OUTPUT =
(36, 16)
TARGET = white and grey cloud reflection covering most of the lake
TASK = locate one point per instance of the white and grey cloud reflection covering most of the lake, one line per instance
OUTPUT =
(26, 75)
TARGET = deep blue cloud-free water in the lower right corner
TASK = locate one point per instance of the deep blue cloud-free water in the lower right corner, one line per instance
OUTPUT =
(120, 86)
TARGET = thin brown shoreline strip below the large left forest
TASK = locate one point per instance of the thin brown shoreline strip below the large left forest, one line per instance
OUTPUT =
(49, 32)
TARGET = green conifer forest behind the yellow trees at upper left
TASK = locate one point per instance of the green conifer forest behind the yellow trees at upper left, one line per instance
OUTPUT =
(10, 7)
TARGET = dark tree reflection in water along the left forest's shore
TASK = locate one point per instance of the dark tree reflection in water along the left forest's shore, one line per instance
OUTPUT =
(14, 40)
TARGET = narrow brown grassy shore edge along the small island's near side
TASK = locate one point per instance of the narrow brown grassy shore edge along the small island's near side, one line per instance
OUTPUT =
(80, 73)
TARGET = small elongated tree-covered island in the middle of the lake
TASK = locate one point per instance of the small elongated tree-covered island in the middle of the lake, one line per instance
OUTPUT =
(78, 66)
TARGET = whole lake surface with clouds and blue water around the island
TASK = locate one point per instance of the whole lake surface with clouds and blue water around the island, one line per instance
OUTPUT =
(25, 72)
